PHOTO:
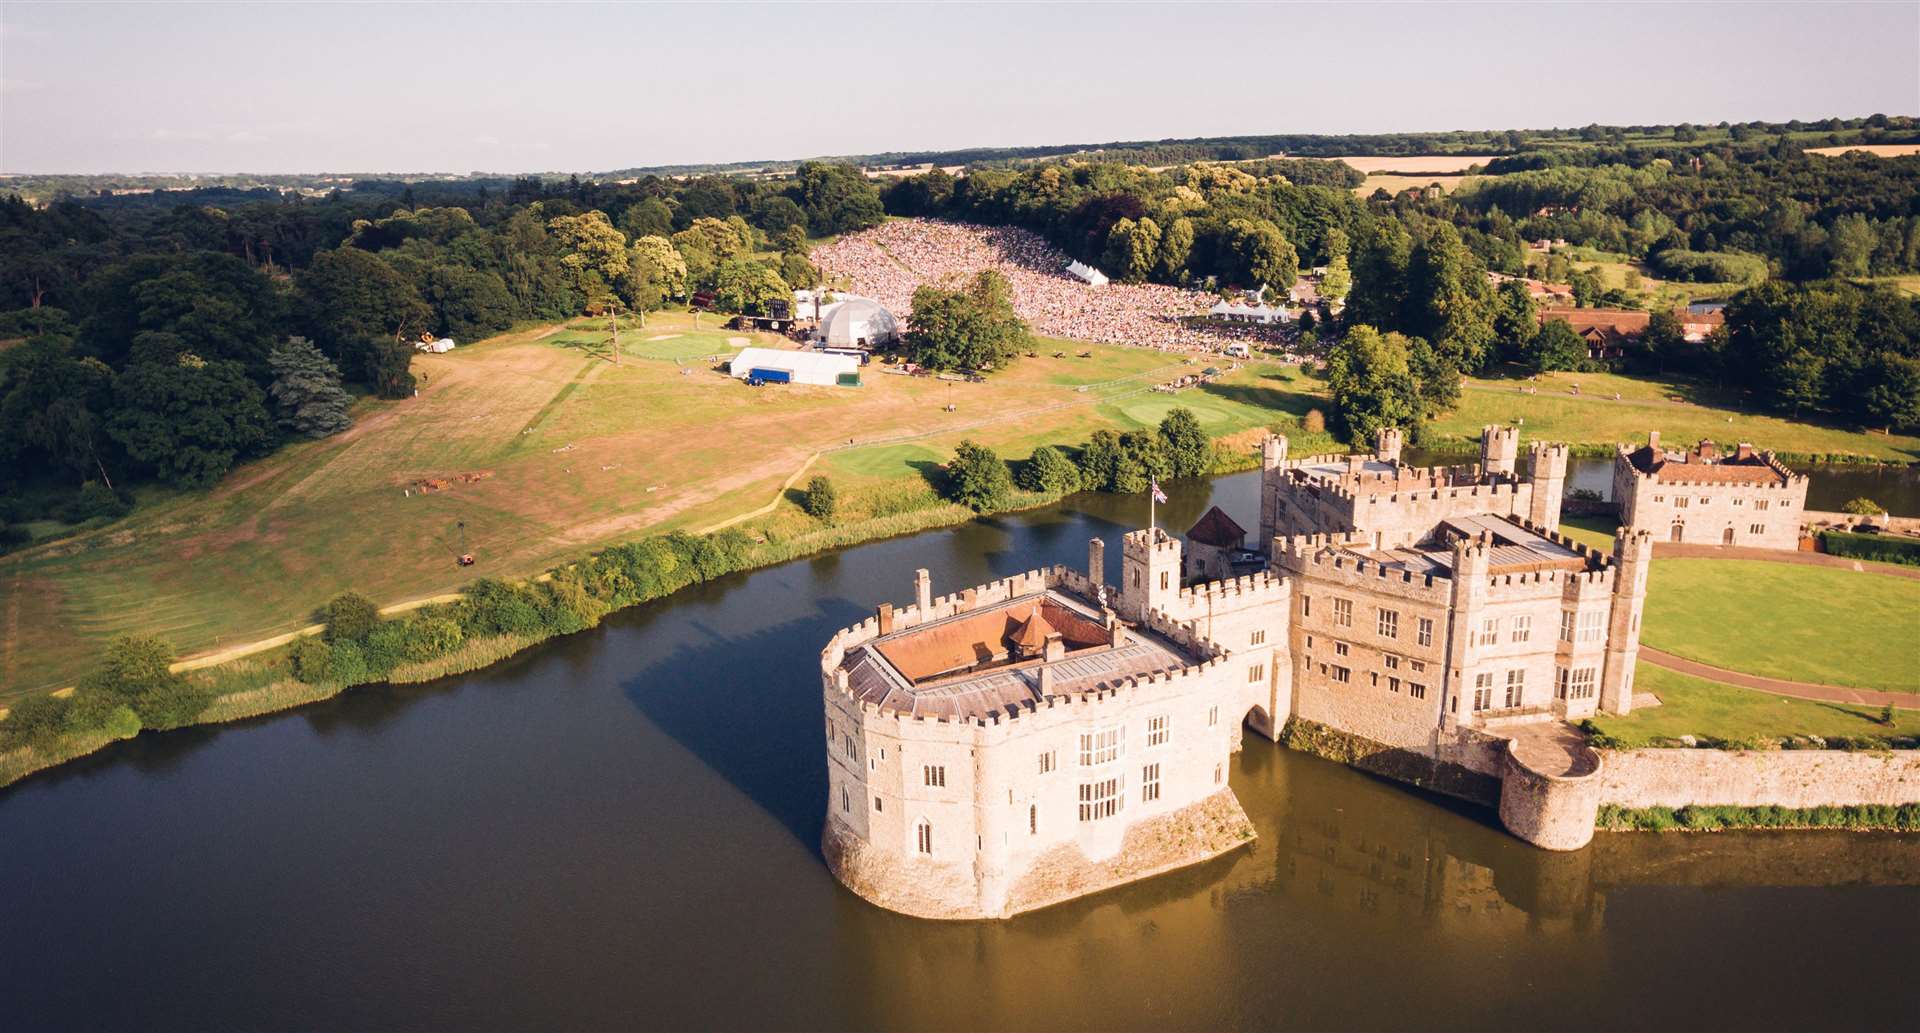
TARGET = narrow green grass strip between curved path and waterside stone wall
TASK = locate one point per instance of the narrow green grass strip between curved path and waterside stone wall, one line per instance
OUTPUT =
(1710, 709)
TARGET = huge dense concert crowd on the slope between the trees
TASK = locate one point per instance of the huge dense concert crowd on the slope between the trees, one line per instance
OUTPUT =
(892, 260)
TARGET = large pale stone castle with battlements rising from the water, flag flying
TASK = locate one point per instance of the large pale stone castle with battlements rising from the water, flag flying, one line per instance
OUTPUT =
(1051, 734)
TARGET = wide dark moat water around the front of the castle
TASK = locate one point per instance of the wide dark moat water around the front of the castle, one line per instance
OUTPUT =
(621, 830)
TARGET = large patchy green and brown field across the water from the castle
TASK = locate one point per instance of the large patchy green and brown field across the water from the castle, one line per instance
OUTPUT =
(544, 450)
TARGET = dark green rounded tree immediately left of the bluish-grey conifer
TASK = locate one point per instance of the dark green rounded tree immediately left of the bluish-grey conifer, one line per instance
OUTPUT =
(187, 421)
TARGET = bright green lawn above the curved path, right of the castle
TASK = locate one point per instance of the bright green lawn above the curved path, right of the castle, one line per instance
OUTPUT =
(1787, 621)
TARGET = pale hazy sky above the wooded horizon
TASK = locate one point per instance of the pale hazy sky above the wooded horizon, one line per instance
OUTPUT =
(178, 87)
